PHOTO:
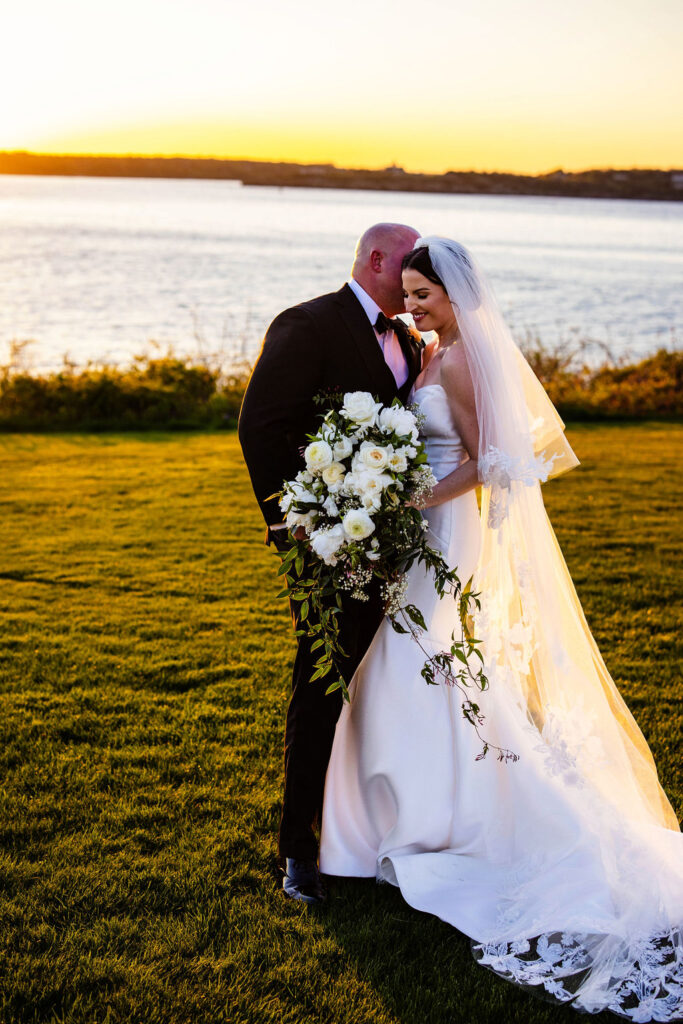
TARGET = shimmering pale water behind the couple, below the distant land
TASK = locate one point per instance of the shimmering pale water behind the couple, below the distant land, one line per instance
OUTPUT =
(97, 269)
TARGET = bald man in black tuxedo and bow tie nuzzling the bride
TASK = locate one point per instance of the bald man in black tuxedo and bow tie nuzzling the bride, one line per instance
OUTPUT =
(340, 342)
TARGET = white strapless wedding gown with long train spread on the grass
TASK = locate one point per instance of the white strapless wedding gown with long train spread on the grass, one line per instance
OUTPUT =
(560, 887)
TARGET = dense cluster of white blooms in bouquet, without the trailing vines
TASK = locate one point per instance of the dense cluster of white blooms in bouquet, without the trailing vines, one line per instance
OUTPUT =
(362, 466)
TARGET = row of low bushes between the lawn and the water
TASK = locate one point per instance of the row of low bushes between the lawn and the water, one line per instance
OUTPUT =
(174, 393)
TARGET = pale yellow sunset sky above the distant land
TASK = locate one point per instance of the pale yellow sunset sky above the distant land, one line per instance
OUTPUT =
(433, 86)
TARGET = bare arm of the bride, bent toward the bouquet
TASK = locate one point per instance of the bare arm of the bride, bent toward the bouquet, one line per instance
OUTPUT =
(457, 383)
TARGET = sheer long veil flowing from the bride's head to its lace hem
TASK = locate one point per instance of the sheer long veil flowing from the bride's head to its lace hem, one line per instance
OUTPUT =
(540, 657)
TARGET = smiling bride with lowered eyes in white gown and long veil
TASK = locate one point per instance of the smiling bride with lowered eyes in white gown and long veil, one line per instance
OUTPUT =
(565, 868)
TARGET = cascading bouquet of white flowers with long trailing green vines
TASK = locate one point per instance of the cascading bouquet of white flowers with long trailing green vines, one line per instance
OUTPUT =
(364, 465)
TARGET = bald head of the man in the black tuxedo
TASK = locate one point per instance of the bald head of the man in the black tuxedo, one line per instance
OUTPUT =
(377, 264)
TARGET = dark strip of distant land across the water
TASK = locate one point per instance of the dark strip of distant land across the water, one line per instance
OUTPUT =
(615, 184)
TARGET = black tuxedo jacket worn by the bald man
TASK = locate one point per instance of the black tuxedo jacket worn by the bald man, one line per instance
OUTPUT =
(327, 343)
